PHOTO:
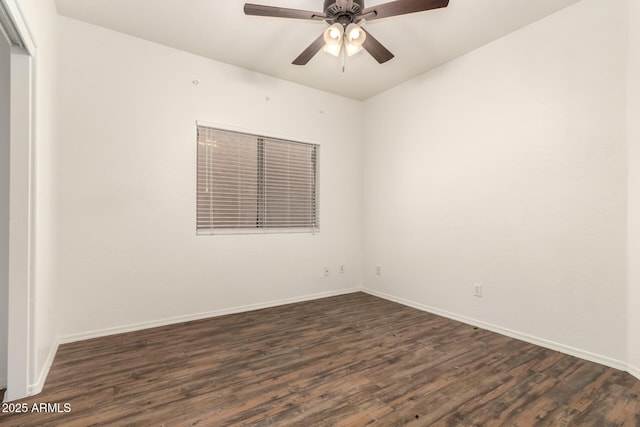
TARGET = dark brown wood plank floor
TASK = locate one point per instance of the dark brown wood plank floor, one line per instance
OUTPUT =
(351, 360)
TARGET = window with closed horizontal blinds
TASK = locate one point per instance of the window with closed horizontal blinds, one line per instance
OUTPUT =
(250, 183)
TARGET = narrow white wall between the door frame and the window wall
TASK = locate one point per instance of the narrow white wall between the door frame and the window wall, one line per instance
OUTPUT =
(41, 18)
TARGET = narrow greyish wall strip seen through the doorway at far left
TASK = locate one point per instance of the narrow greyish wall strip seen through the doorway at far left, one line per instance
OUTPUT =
(5, 70)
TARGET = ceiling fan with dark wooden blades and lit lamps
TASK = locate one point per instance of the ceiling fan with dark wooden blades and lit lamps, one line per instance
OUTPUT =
(343, 17)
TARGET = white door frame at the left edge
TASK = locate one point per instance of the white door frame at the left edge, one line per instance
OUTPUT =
(20, 332)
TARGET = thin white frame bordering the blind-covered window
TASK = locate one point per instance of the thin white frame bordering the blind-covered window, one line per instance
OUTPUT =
(211, 231)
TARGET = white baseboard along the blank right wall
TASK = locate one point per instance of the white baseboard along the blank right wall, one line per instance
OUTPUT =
(603, 360)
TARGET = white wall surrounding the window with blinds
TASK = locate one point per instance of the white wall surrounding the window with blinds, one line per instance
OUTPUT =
(128, 252)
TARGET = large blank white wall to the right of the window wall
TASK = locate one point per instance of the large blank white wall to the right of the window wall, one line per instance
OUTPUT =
(507, 167)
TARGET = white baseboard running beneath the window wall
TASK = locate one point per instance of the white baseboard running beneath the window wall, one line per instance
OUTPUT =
(197, 316)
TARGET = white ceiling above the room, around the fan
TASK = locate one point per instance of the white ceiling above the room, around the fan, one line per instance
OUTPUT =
(218, 29)
